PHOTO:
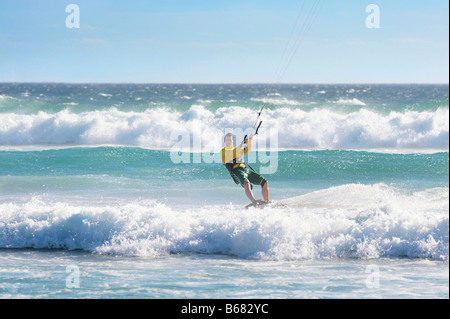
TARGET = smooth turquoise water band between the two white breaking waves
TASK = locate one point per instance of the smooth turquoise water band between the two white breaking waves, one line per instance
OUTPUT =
(149, 174)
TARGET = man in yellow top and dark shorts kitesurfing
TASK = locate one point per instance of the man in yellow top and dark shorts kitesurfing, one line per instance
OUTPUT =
(233, 159)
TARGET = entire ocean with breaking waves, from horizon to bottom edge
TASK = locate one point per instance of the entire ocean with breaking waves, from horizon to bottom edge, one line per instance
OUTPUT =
(117, 191)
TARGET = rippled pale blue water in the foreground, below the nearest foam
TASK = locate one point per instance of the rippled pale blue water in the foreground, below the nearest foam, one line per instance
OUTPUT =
(216, 276)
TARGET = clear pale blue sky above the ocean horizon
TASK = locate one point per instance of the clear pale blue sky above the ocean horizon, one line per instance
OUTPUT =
(210, 41)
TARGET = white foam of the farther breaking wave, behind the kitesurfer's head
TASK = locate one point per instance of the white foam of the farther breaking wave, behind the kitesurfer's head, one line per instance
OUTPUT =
(296, 129)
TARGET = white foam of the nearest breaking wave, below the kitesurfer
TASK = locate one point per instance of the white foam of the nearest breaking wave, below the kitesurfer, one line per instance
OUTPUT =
(361, 221)
